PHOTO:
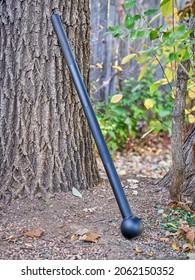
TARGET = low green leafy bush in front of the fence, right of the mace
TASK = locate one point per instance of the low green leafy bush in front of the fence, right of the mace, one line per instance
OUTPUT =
(129, 118)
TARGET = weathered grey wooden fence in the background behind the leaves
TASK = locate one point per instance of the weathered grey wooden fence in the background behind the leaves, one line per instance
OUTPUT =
(107, 51)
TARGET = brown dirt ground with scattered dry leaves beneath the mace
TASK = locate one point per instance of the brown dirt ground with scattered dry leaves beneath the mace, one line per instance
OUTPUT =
(88, 227)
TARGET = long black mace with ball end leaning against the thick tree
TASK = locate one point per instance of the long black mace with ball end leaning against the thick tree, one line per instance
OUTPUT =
(131, 226)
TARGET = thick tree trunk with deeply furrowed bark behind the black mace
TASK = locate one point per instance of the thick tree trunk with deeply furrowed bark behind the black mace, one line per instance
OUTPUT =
(45, 144)
